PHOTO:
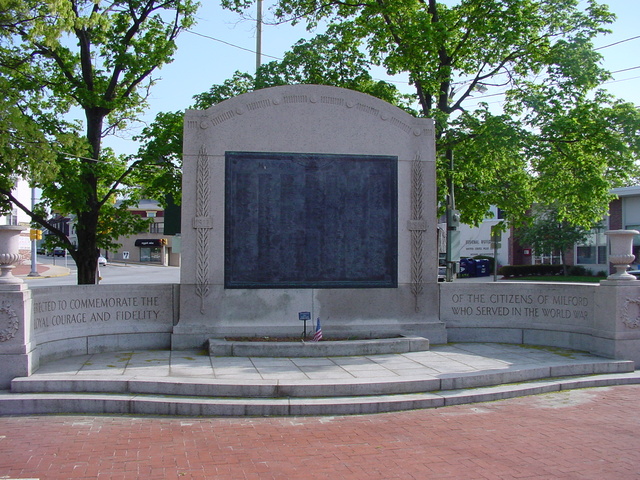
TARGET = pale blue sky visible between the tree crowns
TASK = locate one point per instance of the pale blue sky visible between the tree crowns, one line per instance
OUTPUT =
(202, 62)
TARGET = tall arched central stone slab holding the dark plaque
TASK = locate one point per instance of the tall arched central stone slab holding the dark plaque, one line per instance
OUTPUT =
(308, 198)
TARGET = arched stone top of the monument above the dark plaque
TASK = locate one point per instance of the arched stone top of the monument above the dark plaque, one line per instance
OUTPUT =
(317, 118)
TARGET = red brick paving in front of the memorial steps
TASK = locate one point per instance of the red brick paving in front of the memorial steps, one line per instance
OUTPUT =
(580, 434)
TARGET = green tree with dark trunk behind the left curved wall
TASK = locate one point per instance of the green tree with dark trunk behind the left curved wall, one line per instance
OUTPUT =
(98, 57)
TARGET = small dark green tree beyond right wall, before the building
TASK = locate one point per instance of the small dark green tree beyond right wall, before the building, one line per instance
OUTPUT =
(547, 234)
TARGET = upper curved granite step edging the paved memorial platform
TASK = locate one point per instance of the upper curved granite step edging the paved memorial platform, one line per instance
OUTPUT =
(208, 387)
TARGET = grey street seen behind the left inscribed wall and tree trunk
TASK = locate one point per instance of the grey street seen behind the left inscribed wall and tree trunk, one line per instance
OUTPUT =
(112, 274)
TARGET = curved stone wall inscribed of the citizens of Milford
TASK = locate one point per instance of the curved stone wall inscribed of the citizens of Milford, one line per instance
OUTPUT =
(594, 318)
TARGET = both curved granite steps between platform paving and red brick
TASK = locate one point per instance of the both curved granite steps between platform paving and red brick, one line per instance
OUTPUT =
(214, 398)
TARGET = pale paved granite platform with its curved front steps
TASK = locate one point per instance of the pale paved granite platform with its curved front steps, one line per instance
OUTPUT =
(191, 383)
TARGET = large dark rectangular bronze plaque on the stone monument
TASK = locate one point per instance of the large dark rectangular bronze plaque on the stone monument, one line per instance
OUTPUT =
(310, 220)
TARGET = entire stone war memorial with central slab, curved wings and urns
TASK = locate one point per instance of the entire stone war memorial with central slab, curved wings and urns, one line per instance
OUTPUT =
(319, 200)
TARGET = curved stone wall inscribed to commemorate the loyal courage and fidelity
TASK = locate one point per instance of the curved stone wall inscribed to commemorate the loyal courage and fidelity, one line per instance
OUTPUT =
(85, 319)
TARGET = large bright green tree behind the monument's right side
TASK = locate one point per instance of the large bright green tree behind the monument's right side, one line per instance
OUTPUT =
(539, 54)
